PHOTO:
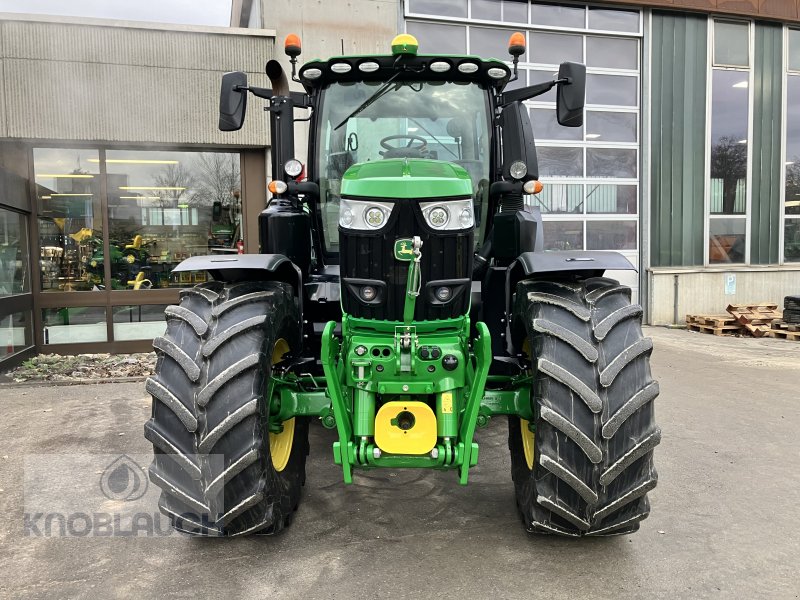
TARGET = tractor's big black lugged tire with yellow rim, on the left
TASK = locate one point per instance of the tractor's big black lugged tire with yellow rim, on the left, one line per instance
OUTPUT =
(220, 469)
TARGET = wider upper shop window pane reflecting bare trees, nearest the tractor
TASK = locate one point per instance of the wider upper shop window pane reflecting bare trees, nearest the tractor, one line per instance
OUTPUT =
(164, 207)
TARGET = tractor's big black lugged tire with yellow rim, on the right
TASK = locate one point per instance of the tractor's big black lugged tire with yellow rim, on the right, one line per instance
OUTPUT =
(587, 466)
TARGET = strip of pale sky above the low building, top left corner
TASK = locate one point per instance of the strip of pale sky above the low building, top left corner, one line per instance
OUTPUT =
(183, 12)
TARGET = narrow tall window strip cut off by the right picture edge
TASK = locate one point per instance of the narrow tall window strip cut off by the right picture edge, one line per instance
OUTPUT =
(791, 227)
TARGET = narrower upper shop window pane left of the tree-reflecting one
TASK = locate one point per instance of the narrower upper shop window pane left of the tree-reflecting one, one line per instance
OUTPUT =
(70, 220)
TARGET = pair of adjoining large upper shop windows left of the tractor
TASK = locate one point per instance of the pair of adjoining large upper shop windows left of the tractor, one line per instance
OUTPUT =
(161, 206)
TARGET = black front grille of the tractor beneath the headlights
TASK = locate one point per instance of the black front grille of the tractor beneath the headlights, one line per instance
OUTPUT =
(446, 255)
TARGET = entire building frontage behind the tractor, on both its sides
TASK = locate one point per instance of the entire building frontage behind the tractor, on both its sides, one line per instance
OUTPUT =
(113, 169)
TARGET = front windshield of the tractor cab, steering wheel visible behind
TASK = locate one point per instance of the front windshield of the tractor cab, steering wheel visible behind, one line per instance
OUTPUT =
(420, 119)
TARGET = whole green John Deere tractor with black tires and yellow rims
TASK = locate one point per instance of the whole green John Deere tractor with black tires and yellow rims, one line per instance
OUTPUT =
(403, 298)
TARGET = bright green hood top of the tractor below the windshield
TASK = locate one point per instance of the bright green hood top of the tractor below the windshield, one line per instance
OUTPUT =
(406, 178)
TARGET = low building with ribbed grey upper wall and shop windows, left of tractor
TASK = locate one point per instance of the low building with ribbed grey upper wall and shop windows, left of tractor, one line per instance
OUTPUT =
(113, 171)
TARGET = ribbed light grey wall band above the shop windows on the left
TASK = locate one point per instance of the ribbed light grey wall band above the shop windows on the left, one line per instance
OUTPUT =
(124, 82)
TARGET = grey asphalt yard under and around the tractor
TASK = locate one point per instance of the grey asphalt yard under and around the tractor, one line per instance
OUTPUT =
(724, 518)
